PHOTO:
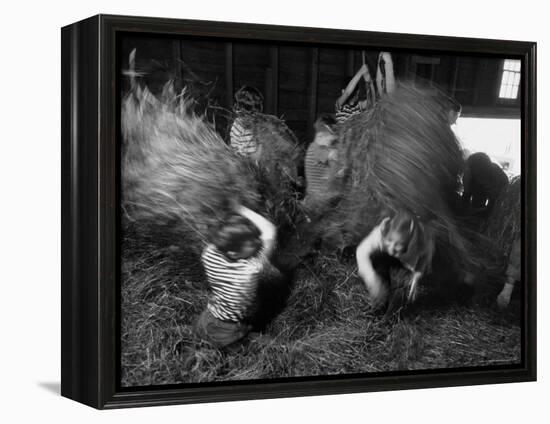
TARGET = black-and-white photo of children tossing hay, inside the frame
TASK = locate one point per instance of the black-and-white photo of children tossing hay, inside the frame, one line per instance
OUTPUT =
(309, 210)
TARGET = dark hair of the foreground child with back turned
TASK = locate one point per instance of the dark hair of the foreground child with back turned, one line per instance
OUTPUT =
(234, 232)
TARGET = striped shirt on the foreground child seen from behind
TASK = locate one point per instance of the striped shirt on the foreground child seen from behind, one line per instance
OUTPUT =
(232, 283)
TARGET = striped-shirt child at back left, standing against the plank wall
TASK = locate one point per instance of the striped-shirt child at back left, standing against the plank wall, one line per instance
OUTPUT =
(248, 100)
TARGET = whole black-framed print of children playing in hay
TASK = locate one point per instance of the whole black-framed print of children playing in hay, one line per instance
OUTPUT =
(254, 211)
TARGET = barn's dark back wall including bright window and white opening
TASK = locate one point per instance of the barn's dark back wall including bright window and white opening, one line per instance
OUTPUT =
(301, 82)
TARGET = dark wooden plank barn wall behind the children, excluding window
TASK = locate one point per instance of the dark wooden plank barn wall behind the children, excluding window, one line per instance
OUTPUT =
(301, 82)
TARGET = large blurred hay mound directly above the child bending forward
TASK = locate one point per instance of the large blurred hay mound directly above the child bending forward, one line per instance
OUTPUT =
(401, 154)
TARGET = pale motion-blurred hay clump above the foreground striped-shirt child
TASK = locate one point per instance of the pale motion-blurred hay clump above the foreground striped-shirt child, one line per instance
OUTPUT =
(176, 167)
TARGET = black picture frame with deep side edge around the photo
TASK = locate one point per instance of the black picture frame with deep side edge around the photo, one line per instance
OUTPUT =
(90, 182)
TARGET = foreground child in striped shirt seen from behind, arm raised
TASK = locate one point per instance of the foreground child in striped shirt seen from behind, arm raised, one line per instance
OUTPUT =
(233, 265)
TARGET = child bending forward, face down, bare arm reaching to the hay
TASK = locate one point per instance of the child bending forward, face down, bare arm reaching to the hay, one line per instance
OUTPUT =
(402, 238)
